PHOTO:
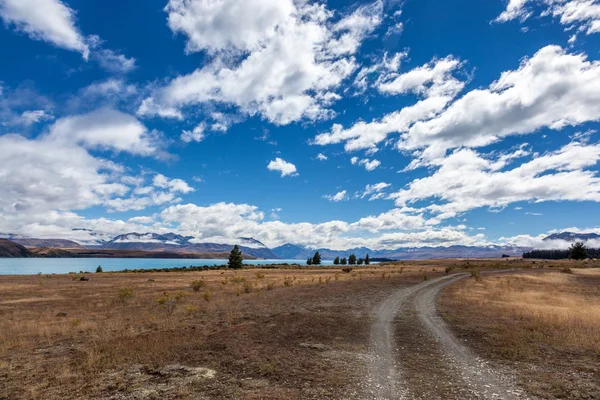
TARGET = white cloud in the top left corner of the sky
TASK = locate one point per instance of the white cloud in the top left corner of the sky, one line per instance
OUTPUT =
(48, 20)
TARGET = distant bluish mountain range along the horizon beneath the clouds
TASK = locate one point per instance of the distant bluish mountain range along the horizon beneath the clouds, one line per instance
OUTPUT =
(173, 243)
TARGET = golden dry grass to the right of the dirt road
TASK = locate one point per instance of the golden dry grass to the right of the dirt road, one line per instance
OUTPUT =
(547, 324)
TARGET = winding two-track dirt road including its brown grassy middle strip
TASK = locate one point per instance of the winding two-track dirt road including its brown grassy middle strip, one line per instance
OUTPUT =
(413, 354)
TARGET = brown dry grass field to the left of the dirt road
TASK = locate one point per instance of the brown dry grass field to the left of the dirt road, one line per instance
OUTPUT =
(62, 338)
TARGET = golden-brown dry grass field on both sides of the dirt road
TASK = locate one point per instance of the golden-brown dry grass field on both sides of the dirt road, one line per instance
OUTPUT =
(269, 333)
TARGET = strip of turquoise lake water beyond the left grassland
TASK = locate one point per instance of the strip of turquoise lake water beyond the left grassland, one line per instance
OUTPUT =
(28, 266)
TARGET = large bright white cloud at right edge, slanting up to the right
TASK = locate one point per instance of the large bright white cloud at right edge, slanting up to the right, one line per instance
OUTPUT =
(552, 89)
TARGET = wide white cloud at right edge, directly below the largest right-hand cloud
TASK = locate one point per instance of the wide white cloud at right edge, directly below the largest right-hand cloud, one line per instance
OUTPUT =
(466, 180)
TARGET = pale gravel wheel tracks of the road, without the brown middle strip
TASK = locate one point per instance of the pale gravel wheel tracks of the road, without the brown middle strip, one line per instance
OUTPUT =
(385, 380)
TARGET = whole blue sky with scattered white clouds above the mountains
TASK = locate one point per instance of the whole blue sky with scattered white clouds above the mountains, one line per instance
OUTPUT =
(337, 124)
